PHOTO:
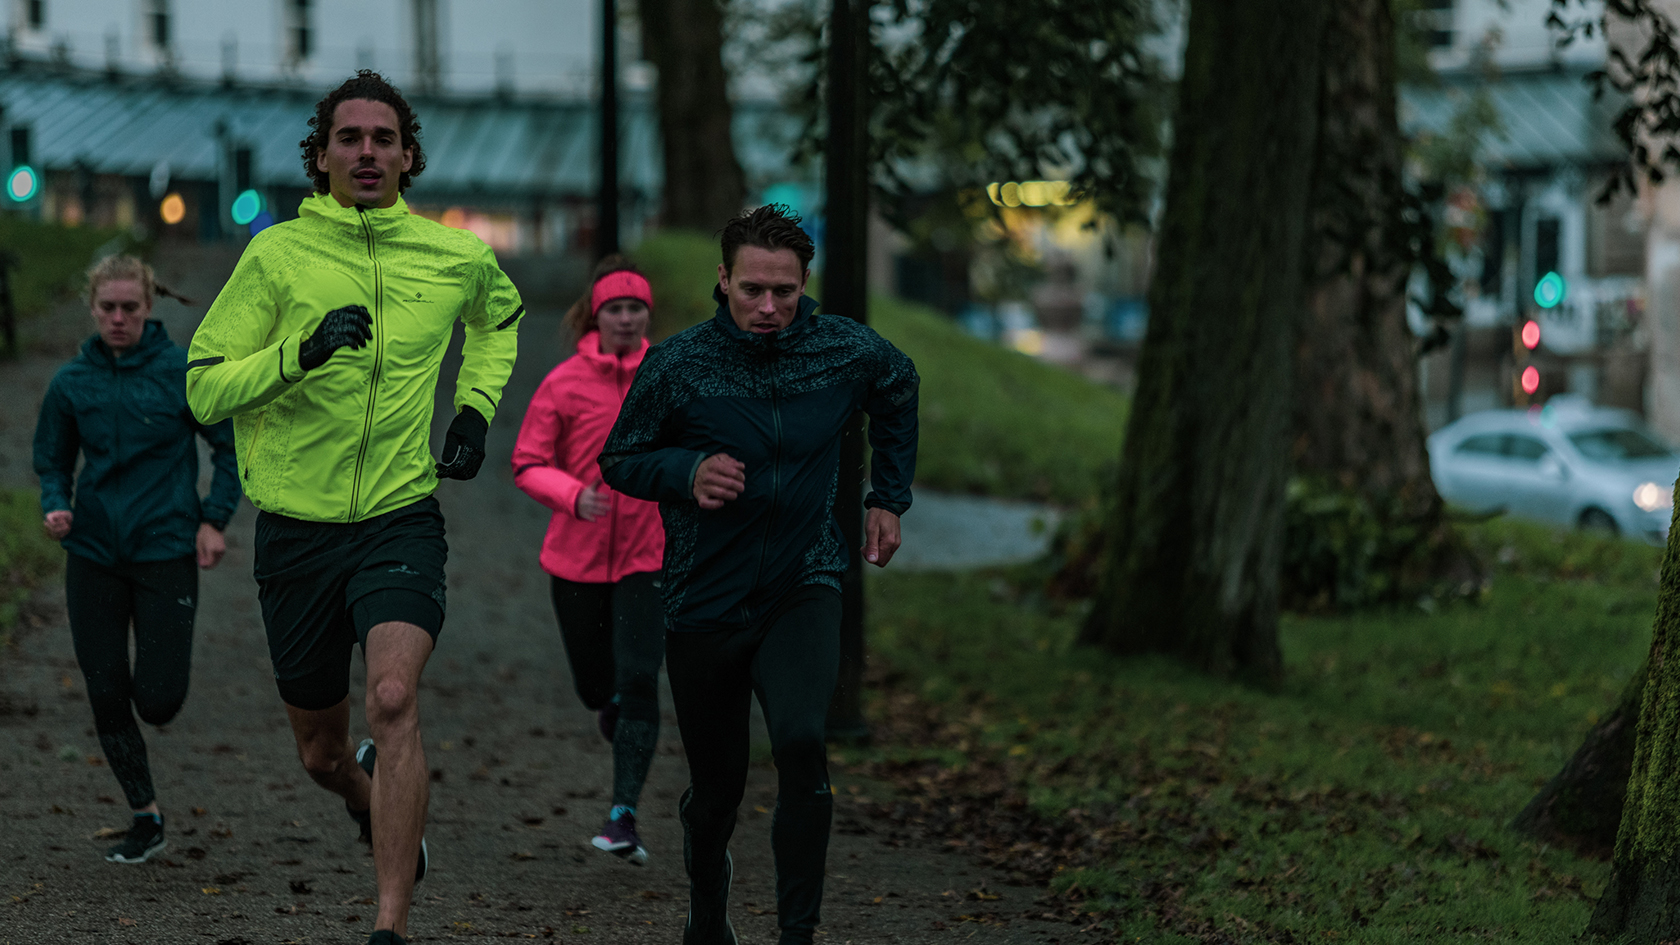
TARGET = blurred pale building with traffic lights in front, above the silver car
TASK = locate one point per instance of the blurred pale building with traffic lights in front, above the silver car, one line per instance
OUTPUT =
(1526, 231)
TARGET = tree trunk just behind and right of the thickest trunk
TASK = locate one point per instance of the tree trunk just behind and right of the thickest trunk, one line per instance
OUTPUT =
(1358, 420)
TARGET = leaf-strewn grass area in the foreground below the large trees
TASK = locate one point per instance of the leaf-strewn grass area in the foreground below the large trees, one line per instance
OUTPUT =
(1367, 800)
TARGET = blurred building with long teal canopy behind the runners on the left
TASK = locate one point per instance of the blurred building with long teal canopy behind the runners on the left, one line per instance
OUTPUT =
(160, 115)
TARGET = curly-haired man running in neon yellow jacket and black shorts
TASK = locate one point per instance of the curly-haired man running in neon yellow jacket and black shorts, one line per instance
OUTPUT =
(325, 351)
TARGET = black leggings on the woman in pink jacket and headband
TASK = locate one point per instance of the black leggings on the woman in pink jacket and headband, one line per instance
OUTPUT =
(616, 641)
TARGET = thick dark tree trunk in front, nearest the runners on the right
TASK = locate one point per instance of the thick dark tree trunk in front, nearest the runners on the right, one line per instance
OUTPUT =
(1199, 520)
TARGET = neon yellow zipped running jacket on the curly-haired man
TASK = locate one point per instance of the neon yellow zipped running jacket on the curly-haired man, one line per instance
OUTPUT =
(349, 440)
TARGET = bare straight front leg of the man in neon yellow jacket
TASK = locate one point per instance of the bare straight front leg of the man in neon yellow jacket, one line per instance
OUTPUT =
(397, 653)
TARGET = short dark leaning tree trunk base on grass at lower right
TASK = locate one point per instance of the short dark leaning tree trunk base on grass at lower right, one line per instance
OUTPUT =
(1580, 808)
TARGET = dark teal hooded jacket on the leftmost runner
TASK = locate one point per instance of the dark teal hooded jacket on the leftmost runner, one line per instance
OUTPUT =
(137, 499)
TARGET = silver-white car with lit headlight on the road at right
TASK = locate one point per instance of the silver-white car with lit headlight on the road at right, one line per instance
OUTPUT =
(1568, 463)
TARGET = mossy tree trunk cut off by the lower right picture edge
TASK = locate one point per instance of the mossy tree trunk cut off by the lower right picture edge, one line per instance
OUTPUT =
(1644, 895)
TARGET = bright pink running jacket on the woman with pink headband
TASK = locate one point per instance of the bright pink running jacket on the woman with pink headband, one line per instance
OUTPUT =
(562, 435)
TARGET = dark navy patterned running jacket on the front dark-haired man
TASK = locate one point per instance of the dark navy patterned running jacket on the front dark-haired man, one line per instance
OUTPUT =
(779, 404)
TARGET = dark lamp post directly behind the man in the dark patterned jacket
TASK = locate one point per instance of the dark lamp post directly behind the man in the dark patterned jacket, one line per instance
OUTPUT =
(846, 292)
